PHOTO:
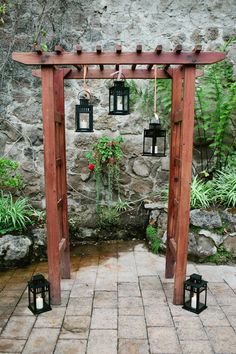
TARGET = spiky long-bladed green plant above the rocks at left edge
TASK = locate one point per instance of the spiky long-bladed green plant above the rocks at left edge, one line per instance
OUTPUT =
(14, 214)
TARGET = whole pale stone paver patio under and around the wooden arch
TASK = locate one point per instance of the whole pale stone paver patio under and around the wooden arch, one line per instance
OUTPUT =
(118, 301)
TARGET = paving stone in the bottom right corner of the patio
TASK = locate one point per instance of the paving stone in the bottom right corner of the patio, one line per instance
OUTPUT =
(223, 339)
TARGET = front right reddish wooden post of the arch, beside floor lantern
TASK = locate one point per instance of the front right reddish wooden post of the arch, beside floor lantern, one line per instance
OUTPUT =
(182, 228)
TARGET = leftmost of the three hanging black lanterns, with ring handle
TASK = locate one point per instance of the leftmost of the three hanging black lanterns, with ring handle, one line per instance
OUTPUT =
(84, 113)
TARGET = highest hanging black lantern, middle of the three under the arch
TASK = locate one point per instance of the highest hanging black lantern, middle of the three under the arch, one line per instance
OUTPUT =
(119, 98)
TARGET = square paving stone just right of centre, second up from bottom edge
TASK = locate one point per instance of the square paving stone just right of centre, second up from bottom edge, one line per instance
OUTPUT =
(132, 327)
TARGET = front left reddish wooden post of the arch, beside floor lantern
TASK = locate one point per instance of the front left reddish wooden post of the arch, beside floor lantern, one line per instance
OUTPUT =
(49, 133)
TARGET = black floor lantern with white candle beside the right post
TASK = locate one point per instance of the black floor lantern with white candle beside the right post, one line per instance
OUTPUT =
(195, 294)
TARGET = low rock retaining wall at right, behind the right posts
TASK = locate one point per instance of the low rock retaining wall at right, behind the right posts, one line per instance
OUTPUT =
(210, 230)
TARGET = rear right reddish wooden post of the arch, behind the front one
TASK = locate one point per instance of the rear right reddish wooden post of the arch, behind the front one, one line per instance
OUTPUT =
(174, 170)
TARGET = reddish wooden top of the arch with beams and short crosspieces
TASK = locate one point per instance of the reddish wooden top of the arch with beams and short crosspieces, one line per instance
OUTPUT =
(78, 58)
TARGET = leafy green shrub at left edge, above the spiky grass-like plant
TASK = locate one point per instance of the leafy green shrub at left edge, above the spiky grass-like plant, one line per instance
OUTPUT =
(9, 178)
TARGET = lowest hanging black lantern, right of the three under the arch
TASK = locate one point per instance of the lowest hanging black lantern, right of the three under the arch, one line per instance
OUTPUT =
(154, 141)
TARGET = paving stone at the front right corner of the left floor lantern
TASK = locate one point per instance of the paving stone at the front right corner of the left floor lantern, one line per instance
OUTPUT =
(52, 318)
